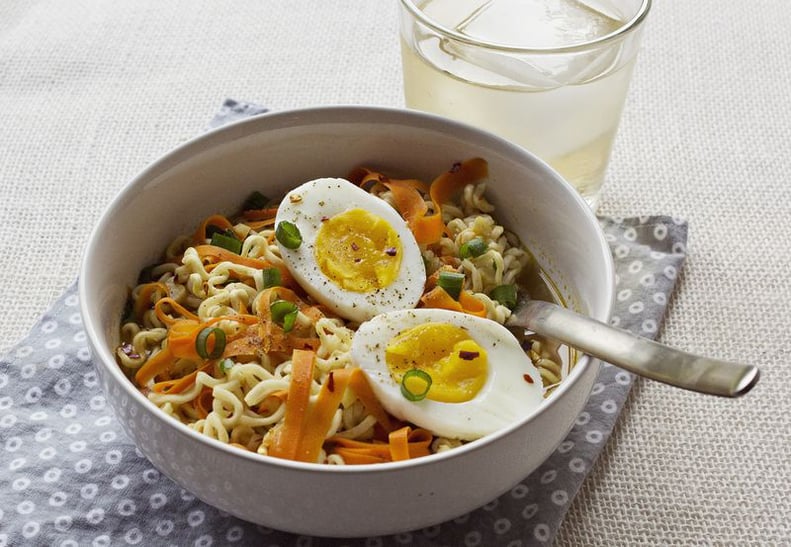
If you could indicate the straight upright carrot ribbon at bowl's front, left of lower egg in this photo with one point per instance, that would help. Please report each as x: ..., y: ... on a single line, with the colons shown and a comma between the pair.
x: 288, y: 436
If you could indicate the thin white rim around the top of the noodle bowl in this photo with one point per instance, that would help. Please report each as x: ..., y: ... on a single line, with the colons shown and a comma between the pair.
x: 287, y: 118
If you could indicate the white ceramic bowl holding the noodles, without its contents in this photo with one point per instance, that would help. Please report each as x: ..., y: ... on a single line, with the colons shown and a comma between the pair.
x: 214, y: 173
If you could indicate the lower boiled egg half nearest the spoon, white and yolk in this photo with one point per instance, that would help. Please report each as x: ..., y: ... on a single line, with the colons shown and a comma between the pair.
x: 475, y: 379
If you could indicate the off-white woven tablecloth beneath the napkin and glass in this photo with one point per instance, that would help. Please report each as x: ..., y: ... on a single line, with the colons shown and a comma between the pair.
x: 92, y: 91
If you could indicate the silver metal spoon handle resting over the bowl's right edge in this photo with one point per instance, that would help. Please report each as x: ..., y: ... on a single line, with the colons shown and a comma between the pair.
x: 634, y: 353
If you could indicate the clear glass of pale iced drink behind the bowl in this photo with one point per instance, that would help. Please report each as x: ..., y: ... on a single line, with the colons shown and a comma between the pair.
x: 549, y: 75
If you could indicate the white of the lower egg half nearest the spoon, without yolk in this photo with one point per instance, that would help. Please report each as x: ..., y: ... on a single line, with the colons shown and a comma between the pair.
x: 505, y: 397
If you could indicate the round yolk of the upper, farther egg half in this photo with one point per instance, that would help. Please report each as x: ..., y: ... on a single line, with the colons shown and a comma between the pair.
x: 358, y: 251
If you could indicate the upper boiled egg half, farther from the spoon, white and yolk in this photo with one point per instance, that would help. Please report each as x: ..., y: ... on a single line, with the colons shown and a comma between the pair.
x: 357, y: 255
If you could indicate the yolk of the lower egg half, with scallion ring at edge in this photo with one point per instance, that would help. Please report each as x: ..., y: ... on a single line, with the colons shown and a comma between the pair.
x: 456, y: 363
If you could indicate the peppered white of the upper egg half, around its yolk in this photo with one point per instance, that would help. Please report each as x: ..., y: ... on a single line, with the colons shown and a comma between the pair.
x: 317, y: 200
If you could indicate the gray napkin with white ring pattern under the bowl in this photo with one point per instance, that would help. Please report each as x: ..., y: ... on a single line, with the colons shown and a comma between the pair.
x: 69, y: 476
